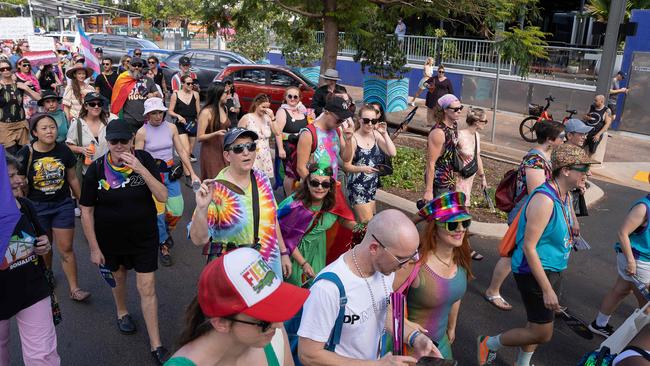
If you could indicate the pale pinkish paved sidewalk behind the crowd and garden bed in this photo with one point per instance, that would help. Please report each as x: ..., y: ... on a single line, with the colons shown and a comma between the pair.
x: 626, y: 157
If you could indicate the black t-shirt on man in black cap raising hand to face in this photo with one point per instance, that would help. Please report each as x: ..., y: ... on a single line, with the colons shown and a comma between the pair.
x: 125, y: 217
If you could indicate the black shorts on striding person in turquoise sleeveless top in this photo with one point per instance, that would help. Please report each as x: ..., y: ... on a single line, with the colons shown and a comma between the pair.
x: 533, y: 298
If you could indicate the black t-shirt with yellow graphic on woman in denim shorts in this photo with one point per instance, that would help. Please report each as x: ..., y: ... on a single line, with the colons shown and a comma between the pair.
x: 47, y: 173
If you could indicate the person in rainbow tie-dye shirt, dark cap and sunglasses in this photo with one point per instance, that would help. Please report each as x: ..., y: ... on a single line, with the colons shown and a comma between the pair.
x: 224, y: 216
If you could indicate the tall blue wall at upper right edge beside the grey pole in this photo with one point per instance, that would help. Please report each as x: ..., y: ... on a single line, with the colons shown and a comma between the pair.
x: 636, y: 43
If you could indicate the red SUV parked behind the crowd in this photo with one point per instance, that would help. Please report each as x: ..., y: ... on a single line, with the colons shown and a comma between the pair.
x: 251, y: 80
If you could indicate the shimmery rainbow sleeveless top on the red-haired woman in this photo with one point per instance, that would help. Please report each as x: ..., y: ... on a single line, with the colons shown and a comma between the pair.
x: 430, y: 303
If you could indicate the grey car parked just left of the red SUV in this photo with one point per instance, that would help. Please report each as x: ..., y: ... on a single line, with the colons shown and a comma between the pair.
x: 205, y: 63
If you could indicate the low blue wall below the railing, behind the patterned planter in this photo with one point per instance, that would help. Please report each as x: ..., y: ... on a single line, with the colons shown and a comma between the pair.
x: 350, y: 73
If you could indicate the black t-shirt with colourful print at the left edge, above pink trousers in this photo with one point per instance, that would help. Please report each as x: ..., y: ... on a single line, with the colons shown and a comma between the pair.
x: 22, y: 276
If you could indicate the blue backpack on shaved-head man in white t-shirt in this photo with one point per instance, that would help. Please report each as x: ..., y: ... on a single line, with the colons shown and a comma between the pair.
x: 293, y: 324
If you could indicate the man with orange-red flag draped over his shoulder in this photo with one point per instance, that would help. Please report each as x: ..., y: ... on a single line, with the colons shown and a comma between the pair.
x: 130, y: 91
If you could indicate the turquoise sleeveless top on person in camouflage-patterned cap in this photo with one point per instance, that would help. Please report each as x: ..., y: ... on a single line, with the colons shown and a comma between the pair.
x: 554, y: 246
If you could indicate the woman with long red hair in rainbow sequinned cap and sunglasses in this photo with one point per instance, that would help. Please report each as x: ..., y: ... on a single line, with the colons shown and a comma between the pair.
x: 435, y: 285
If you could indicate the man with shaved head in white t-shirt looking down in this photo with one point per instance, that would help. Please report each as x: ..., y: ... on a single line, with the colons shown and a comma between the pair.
x: 366, y: 273
